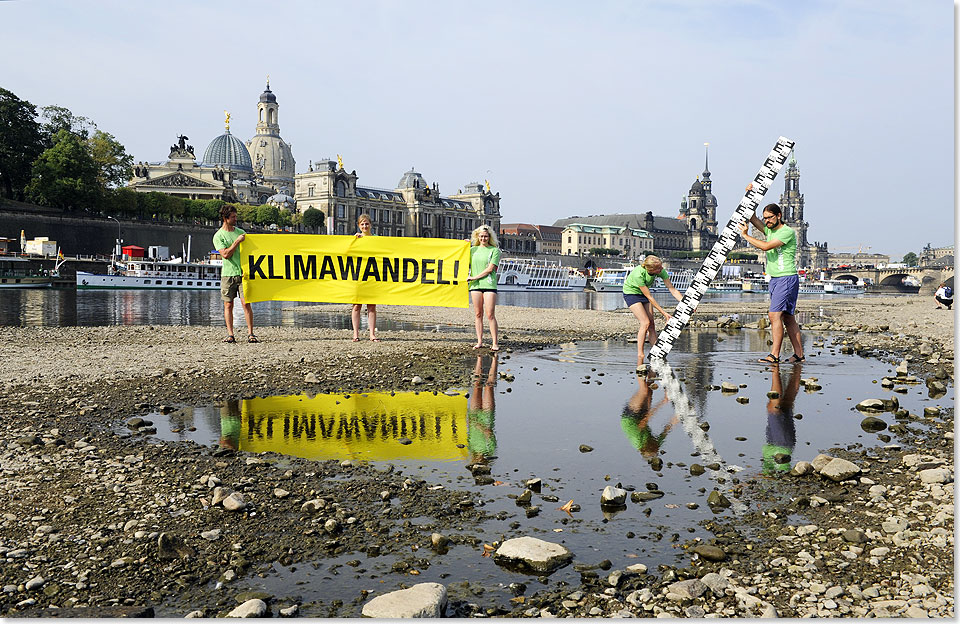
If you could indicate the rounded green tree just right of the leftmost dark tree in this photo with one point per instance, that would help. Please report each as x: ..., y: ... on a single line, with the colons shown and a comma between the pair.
x: 65, y: 175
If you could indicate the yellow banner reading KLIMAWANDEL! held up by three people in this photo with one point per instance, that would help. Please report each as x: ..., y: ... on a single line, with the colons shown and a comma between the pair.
x: 347, y: 269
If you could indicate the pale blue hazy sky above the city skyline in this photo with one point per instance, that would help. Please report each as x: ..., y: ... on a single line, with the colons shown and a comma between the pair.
x: 568, y: 108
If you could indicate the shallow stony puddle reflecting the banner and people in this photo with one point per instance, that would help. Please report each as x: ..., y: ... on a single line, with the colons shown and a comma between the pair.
x: 579, y: 418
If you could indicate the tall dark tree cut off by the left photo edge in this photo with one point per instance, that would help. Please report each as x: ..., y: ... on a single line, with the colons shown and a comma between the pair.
x: 21, y: 142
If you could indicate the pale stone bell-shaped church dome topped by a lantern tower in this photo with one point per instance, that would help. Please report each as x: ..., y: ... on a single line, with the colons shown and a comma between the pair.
x: 272, y: 158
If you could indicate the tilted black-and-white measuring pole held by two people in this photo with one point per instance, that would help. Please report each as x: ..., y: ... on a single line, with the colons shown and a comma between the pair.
x: 728, y: 238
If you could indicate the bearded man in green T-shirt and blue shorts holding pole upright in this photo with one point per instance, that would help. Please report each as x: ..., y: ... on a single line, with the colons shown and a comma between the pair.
x: 781, y: 248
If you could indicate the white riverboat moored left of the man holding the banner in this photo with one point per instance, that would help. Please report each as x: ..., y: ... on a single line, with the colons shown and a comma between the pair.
x: 155, y: 275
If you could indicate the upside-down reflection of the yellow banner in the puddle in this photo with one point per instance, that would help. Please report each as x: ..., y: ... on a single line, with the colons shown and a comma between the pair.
x: 365, y: 426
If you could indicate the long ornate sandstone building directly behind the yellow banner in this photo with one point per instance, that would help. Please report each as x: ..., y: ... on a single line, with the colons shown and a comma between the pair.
x: 412, y: 208
